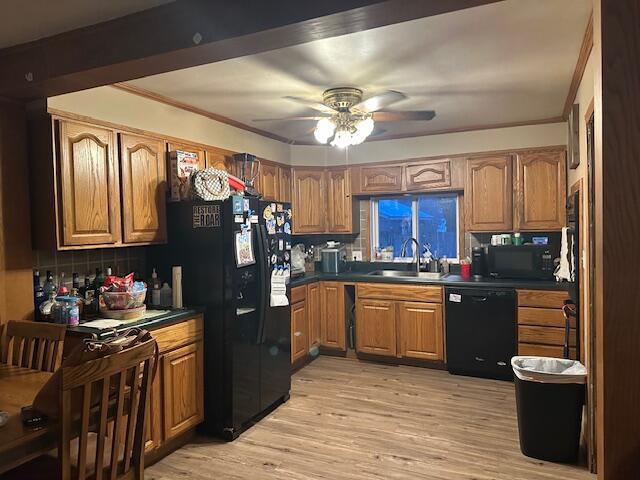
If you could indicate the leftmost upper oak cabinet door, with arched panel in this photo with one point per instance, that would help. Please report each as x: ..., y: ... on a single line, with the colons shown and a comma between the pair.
x: 89, y: 185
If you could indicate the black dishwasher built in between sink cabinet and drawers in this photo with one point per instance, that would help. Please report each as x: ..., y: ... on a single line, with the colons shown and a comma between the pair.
x: 481, y: 331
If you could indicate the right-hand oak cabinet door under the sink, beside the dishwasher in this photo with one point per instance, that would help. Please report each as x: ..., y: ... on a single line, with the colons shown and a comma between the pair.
x: 420, y: 330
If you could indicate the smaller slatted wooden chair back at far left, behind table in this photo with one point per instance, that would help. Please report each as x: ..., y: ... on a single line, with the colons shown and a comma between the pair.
x: 35, y: 345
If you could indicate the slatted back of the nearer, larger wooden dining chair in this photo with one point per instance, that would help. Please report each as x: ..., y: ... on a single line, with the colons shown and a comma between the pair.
x: 114, y: 396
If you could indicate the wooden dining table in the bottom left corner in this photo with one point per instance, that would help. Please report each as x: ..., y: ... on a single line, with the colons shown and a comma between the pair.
x: 18, y: 388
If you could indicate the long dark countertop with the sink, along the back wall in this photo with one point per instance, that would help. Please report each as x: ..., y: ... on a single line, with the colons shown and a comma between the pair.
x: 449, y: 281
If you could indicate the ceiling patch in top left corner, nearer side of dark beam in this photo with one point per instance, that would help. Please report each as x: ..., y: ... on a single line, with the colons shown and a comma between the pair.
x: 27, y: 20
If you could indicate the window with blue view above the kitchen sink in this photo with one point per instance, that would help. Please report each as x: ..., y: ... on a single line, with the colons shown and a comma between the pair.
x: 430, y: 218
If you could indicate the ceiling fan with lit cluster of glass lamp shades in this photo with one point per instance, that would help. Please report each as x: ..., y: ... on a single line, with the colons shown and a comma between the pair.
x: 347, y: 119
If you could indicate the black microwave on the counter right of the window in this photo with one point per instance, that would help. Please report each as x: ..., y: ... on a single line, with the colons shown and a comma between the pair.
x: 533, y: 262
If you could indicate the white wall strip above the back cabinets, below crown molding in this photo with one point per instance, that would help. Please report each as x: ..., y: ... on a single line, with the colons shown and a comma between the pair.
x: 434, y: 145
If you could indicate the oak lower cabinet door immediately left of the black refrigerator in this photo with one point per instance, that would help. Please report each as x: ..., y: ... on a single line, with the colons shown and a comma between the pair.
x: 182, y: 372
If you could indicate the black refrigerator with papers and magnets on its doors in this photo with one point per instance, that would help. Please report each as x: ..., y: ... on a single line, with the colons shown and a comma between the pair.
x: 228, y: 251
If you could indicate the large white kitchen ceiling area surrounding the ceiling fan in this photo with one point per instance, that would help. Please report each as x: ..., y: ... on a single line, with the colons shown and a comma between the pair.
x: 505, y: 62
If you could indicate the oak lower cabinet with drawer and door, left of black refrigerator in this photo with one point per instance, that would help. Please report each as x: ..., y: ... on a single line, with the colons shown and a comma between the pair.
x: 176, y: 402
